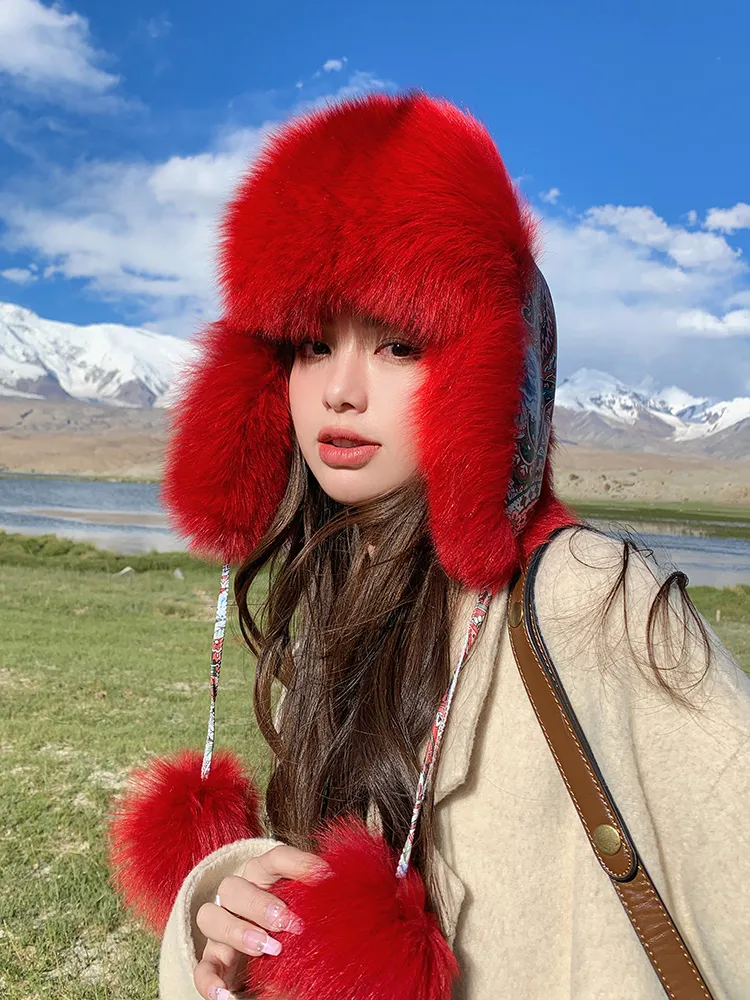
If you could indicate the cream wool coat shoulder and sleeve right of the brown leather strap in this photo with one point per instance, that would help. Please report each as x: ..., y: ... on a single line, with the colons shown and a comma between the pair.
x: 680, y: 772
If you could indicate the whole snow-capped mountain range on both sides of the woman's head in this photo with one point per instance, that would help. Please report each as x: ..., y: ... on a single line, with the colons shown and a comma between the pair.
x: 131, y: 367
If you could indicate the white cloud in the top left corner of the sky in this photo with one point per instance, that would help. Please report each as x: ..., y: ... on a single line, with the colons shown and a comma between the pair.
x: 49, y: 54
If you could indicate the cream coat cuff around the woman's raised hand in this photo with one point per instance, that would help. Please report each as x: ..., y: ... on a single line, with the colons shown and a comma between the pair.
x: 182, y: 943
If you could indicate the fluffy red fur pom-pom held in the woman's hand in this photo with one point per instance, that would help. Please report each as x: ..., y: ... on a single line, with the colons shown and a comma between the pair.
x: 366, y: 933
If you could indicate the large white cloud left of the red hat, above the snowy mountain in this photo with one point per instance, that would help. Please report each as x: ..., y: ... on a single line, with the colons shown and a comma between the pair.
x: 142, y: 233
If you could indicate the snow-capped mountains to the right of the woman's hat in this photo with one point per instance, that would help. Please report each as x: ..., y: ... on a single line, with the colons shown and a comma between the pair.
x: 593, y: 408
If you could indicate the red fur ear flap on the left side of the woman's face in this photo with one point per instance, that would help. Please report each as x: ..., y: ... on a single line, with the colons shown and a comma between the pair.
x: 228, y: 457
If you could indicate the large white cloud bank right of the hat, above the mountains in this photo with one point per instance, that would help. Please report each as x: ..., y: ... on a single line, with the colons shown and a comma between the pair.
x: 631, y: 298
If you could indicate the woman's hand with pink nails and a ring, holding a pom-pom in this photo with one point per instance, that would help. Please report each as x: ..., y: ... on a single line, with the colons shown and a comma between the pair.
x: 237, y: 928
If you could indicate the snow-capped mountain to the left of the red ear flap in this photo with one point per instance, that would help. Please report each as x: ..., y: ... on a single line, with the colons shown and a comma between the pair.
x: 104, y: 363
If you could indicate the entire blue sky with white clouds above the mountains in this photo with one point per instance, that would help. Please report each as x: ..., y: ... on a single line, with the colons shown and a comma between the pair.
x: 123, y: 128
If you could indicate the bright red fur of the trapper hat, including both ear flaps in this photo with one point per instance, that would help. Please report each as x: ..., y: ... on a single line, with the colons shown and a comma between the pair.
x: 399, y: 208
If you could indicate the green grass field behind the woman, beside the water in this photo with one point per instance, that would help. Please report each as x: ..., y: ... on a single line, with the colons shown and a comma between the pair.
x: 96, y: 673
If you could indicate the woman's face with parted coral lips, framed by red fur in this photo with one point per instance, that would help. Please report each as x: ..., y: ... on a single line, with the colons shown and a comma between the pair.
x: 359, y: 379
